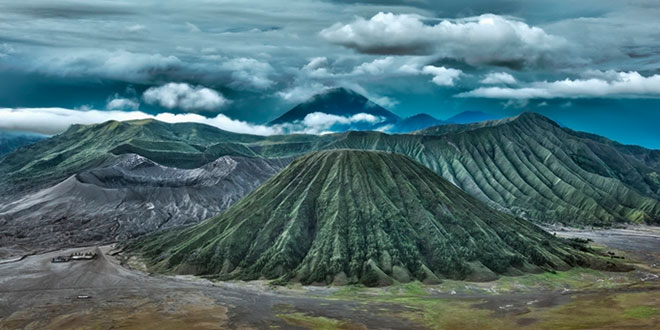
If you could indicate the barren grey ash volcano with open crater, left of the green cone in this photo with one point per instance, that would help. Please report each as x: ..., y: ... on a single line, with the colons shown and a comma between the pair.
x: 129, y: 196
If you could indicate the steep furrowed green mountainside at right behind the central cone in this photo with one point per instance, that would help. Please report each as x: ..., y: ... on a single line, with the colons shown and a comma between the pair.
x: 542, y: 171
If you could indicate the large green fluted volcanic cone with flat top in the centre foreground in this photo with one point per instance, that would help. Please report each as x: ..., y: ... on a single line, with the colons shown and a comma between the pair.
x: 359, y: 217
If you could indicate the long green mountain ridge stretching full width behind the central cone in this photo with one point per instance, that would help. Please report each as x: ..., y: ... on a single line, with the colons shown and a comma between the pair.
x: 526, y: 165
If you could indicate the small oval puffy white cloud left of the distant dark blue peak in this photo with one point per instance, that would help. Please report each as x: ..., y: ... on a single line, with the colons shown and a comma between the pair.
x: 184, y: 96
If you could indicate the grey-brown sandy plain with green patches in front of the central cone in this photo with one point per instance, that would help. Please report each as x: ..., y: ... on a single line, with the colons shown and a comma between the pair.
x: 37, y: 294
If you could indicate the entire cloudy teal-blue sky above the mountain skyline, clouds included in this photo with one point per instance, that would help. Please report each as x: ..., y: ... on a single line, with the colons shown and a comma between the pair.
x: 592, y: 65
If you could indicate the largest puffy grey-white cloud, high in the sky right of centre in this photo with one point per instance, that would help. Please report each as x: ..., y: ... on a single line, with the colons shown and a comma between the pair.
x: 485, y: 39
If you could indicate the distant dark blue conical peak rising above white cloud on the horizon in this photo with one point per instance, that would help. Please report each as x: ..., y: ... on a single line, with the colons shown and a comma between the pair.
x: 339, y: 102
